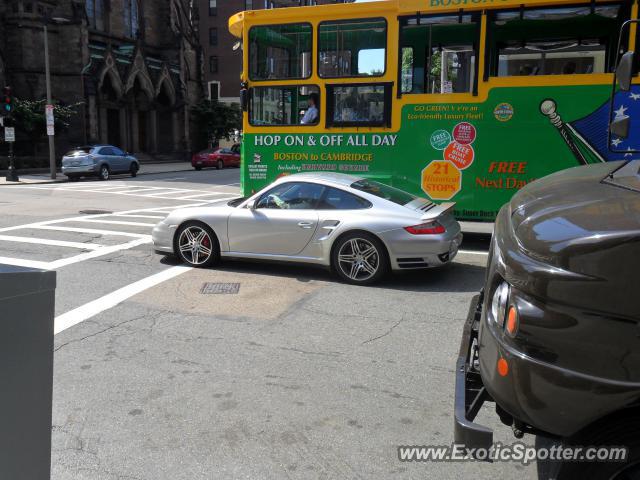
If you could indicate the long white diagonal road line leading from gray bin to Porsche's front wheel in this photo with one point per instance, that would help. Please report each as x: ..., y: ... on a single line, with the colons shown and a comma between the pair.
x: 88, y: 310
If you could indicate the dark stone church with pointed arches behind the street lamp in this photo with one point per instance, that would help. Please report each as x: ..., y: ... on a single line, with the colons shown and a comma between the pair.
x: 134, y: 65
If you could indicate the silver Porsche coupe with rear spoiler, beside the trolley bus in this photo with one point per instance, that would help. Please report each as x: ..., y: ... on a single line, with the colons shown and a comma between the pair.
x: 358, y: 227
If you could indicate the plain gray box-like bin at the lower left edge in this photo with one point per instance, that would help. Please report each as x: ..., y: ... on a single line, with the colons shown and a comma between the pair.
x: 26, y: 372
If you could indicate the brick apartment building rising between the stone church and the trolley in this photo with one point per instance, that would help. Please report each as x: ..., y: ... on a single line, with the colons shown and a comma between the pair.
x: 223, y: 65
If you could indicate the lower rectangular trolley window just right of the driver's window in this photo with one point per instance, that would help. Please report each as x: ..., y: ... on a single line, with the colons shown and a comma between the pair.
x: 359, y: 104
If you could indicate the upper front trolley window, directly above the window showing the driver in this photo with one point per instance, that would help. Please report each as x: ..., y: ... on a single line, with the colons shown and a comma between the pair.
x: 278, y: 52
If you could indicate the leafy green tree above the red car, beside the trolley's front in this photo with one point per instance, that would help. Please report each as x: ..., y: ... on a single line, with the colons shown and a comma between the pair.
x: 215, y: 120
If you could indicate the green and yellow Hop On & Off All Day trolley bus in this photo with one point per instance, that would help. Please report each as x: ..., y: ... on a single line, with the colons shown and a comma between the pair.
x: 456, y: 100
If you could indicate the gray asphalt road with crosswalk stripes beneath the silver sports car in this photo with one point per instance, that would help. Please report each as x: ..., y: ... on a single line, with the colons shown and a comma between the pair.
x: 296, y: 376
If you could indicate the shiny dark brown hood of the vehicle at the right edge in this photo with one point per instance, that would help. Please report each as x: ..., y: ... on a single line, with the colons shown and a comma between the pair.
x: 574, y: 212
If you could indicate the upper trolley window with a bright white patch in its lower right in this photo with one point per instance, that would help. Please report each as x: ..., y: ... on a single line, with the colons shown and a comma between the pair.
x: 352, y: 48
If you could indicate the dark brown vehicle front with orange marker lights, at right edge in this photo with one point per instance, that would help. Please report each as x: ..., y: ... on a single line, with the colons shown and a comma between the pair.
x: 554, y: 338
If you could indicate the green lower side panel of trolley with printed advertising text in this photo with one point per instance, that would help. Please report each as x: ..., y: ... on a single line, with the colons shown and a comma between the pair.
x: 475, y: 154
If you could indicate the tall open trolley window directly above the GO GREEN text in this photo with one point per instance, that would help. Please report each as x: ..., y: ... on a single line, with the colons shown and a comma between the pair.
x: 443, y: 54
